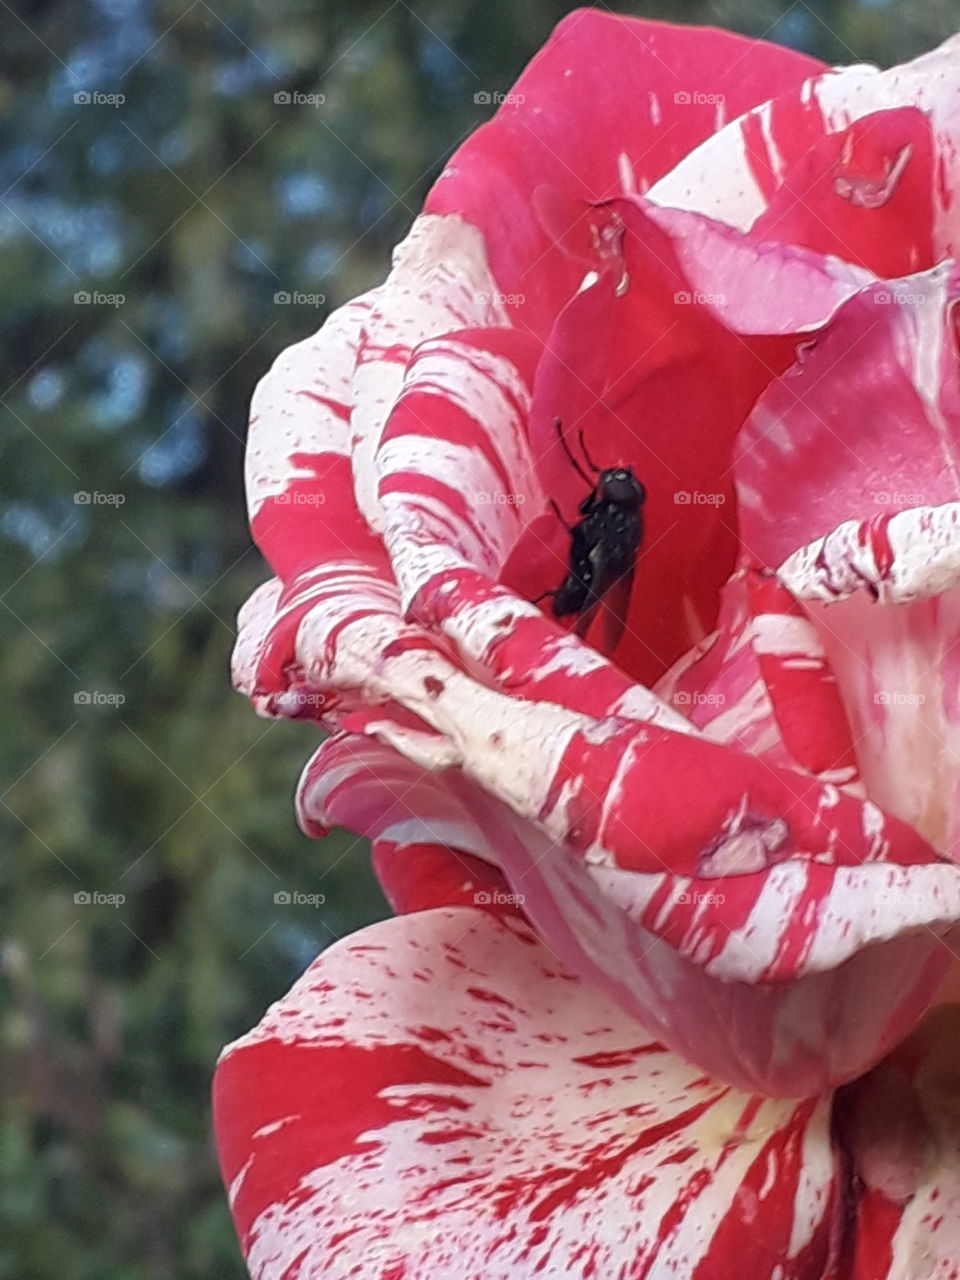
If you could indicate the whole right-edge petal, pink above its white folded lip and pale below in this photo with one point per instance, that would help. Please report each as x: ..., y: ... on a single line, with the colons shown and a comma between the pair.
x: 866, y: 529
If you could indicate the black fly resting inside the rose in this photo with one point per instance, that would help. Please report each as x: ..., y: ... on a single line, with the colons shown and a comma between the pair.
x: 604, y: 548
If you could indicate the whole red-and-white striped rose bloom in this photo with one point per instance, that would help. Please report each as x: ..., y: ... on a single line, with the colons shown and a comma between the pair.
x: 670, y: 988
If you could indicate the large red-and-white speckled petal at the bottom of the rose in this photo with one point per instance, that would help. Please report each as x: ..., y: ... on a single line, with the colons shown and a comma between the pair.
x: 519, y: 1126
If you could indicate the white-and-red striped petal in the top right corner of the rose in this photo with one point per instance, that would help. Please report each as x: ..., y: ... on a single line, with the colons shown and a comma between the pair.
x: 851, y: 130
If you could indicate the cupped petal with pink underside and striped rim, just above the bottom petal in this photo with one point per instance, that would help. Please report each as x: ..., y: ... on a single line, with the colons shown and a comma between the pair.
x: 751, y: 977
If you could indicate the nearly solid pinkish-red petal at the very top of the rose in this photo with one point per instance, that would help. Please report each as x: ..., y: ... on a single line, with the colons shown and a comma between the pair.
x: 566, y: 126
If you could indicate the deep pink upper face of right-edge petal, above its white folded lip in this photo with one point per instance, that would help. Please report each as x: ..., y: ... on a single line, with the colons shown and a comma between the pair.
x: 865, y: 426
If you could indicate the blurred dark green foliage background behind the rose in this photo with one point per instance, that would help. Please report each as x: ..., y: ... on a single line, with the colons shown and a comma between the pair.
x: 185, y: 211
